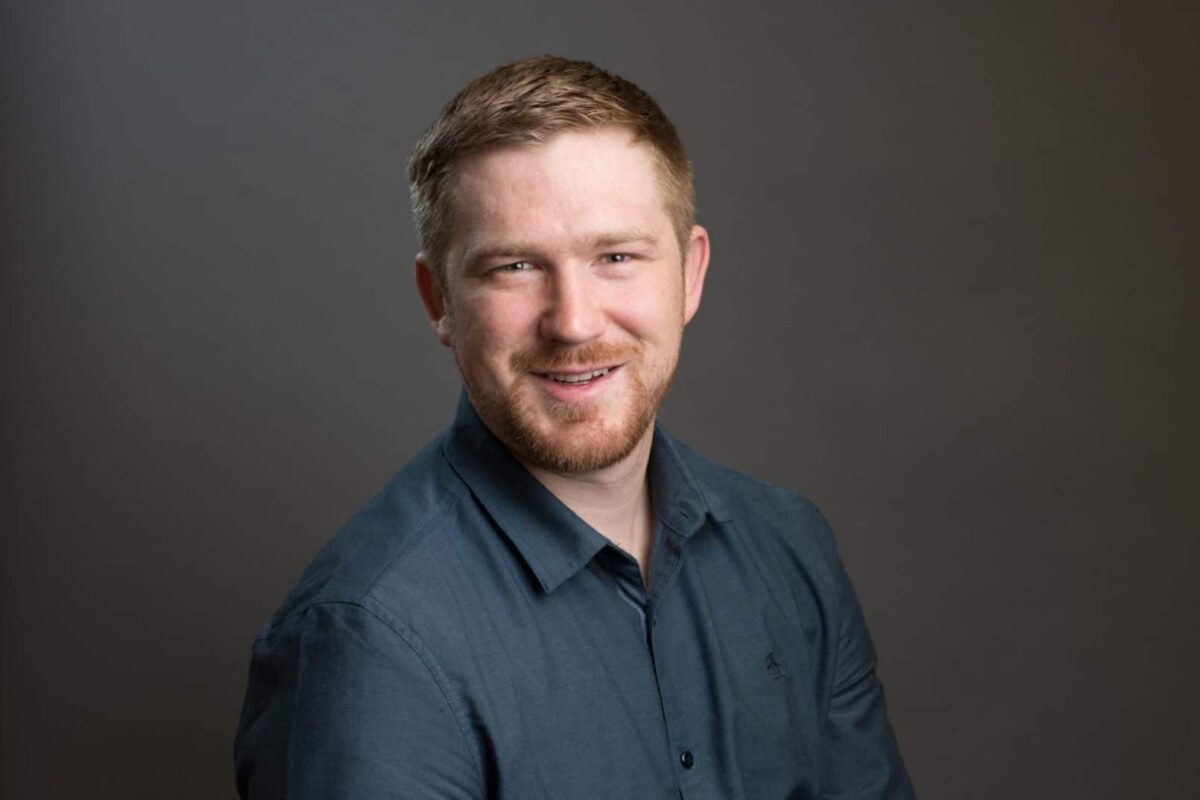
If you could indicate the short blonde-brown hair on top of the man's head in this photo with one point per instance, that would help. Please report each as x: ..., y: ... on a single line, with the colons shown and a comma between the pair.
x: 529, y: 103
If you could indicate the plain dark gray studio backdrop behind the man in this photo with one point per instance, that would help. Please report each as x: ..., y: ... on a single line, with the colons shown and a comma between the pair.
x: 953, y: 299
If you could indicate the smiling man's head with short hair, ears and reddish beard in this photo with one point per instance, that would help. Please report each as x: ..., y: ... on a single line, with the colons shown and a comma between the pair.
x: 561, y: 263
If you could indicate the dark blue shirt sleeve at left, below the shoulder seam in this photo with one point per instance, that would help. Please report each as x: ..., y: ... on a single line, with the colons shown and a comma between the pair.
x: 341, y: 706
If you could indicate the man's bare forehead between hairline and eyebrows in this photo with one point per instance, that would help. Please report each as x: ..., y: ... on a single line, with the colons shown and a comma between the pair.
x: 579, y: 187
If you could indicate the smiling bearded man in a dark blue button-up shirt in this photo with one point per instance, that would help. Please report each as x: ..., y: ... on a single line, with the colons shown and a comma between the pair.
x: 556, y: 599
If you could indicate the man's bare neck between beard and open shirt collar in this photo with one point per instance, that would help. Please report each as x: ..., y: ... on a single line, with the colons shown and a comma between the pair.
x: 615, y: 501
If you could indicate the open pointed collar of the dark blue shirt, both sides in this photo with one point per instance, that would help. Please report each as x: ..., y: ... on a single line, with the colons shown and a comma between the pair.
x: 553, y: 539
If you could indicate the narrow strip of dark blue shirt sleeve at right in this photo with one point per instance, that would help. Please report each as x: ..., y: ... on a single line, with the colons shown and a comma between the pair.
x: 861, y: 757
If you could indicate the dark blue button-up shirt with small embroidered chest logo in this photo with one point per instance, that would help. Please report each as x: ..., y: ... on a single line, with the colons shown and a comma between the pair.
x: 469, y: 636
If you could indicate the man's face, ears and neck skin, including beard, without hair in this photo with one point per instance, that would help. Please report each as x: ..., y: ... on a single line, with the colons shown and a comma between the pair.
x: 565, y: 261
